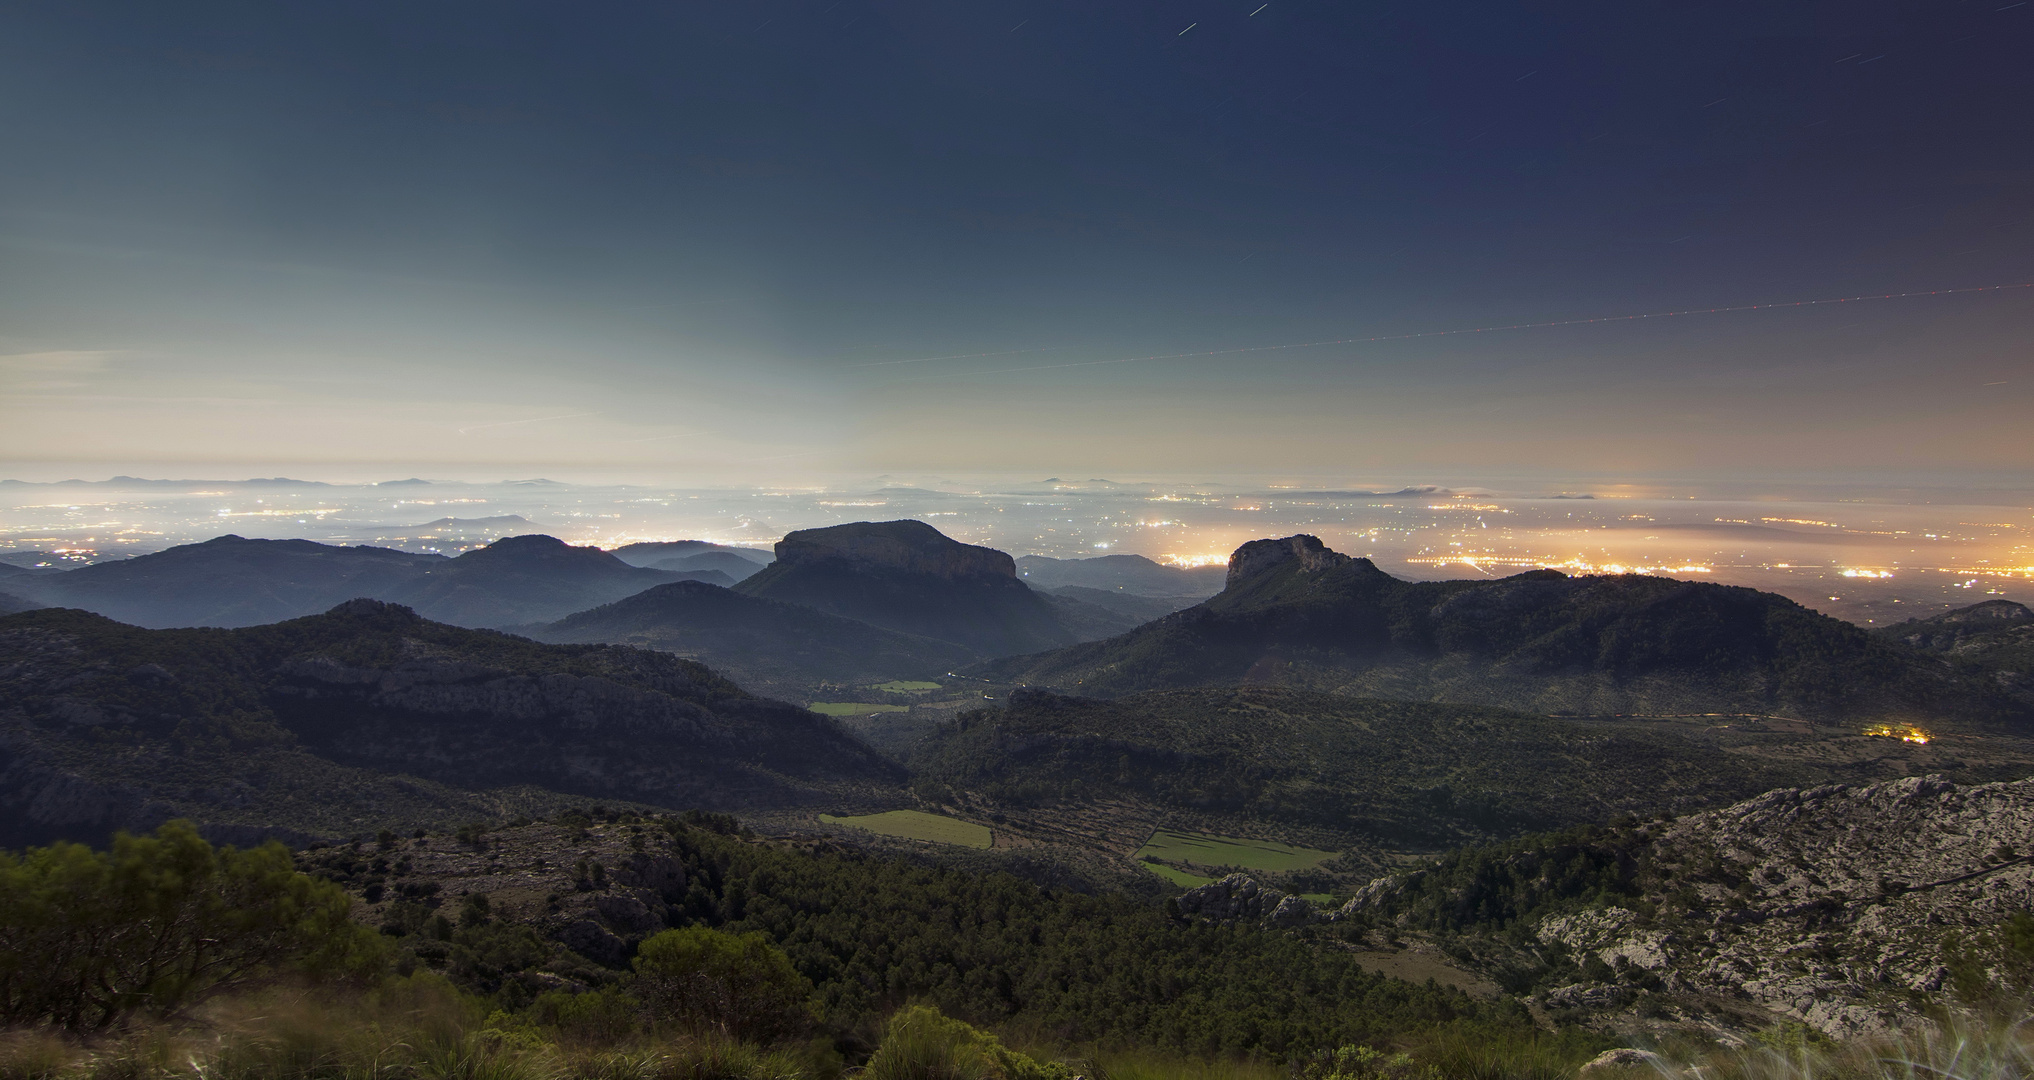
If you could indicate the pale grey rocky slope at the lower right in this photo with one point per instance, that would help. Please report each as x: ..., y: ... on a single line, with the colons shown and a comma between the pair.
x: 1848, y: 908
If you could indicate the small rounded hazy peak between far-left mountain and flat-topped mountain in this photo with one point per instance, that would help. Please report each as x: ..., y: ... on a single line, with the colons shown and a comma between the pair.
x: 522, y: 581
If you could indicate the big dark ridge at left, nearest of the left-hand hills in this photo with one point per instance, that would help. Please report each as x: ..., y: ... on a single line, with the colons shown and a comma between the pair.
x: 371, y: 717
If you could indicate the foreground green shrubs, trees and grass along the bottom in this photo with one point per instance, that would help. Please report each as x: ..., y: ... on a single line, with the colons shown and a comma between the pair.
x: 166, y: 957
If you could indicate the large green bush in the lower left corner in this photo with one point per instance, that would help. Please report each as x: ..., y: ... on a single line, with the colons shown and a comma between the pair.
x: 91, y: 937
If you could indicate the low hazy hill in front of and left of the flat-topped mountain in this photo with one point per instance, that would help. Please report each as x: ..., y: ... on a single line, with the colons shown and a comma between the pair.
x: 760, y: 644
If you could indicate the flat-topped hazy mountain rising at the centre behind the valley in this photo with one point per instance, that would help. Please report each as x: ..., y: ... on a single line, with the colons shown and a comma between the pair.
x: 908, y: 577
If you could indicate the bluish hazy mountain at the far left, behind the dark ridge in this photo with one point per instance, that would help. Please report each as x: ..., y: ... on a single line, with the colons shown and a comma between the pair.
x: 229, y: 583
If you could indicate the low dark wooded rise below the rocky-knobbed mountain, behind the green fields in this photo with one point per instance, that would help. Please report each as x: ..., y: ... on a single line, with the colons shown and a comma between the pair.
x: 1398, y: 774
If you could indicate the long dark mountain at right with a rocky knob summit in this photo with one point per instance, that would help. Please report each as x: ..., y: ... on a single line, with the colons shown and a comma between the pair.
x: 1295, y: 613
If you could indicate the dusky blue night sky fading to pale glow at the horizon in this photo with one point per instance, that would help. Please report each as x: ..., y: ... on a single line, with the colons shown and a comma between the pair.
x: 811, y: 237
